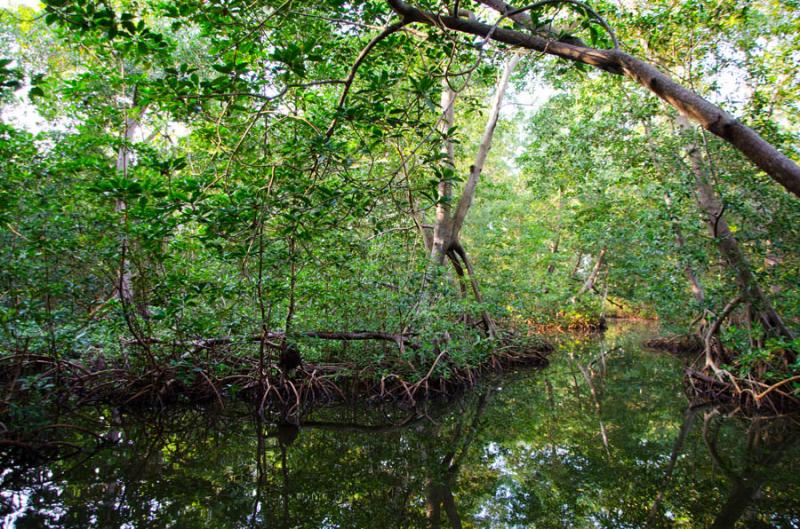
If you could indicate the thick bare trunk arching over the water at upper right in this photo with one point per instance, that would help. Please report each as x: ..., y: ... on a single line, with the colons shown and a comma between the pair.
x: 778, y: 166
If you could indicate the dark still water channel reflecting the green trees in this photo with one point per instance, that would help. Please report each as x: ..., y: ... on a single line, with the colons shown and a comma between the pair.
x: 601, y: 438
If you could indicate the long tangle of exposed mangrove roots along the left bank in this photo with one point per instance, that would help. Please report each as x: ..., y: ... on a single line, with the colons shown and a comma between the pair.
x: 246, y: 378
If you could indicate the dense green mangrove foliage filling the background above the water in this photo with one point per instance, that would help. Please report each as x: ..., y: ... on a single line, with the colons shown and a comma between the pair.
x: 181, y: 171
